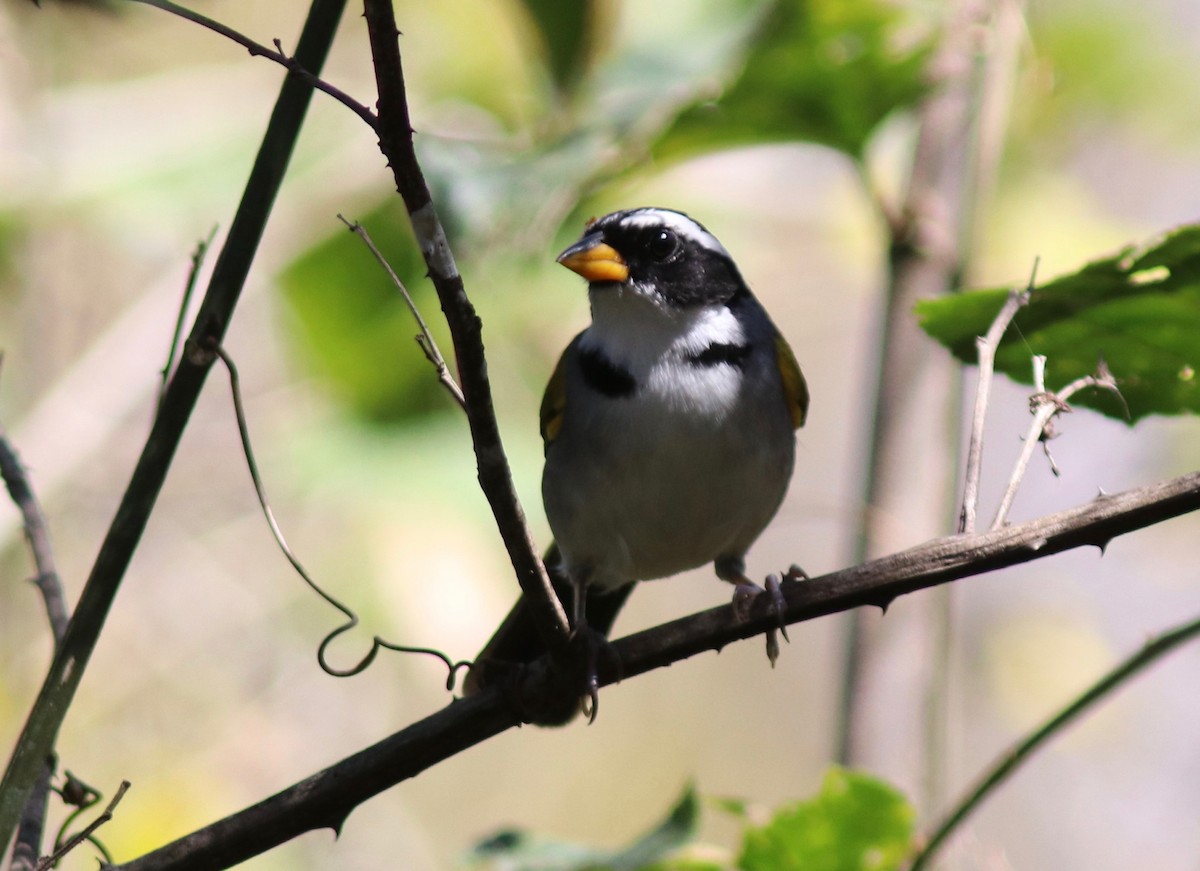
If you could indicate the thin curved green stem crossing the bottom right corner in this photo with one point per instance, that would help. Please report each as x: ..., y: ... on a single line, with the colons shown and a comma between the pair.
x: 1007, y: 765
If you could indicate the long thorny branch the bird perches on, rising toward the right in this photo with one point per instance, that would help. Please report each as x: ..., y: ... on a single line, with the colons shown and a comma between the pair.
x: 326, y: 800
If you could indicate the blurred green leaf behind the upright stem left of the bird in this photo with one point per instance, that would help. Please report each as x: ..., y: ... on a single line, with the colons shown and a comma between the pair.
x: 352, y: 327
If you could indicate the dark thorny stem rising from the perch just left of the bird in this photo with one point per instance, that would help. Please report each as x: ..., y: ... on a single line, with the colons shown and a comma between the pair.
x: 466, y: 329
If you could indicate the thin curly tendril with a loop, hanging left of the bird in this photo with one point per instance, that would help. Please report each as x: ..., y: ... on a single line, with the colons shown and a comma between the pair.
x: 352, y: 620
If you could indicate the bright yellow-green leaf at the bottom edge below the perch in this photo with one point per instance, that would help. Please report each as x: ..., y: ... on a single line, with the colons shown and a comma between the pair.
x: 856, y: 824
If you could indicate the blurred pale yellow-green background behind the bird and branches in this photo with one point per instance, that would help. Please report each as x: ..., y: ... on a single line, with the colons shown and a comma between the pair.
x: 127, y: 136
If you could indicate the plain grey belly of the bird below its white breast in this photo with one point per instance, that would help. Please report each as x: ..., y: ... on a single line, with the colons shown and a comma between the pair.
x: 635, y: 500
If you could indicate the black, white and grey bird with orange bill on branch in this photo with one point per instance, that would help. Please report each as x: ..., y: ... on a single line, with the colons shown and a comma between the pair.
x: 668, y: 424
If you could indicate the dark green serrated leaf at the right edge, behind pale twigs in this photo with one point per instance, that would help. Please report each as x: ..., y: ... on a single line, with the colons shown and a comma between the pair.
x: 1139, y: 311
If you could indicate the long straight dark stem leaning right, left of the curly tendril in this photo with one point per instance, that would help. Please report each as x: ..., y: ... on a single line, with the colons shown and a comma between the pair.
x: 67, y: 671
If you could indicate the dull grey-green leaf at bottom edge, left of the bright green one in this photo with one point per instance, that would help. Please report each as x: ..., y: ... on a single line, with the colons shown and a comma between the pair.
x: 517, y: 850
